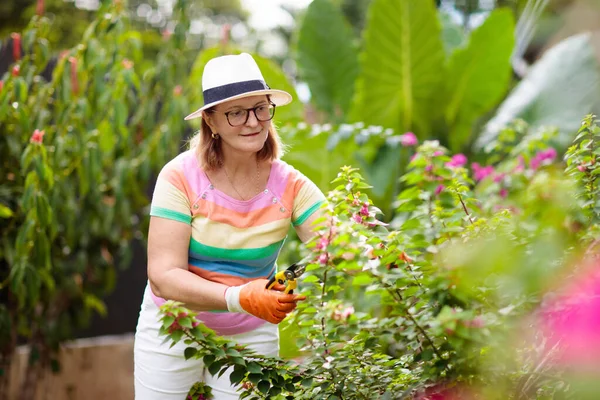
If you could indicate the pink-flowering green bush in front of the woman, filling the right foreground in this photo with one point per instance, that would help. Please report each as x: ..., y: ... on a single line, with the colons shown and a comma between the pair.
x: 445, y: 301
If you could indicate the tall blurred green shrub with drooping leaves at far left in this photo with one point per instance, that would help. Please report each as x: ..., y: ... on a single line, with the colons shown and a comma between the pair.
x: 76, y: 155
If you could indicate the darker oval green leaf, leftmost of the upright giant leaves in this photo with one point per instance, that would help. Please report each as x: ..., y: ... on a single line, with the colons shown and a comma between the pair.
x: 328, y: 57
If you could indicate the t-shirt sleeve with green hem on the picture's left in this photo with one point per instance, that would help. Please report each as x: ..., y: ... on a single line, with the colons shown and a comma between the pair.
x: 170, y: 199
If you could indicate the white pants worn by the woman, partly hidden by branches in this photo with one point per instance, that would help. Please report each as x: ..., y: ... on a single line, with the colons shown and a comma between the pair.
x: 163, y: 373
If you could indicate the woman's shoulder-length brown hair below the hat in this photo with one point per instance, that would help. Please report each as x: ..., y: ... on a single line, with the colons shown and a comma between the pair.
x: 210, y: 153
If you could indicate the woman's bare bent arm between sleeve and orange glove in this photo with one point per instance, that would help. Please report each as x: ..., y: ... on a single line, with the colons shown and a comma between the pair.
x: 168, y: 247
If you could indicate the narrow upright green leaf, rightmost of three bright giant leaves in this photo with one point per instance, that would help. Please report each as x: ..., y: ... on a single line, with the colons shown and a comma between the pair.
x: 478, y: 75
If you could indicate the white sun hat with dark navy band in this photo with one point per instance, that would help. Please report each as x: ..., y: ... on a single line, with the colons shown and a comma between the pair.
x: 234, y: 77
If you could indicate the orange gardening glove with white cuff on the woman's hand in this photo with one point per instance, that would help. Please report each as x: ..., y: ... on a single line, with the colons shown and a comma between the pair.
x: 252, y: 298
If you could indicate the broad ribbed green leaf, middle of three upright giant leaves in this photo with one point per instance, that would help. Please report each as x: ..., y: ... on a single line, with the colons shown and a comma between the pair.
x: 402, y: 66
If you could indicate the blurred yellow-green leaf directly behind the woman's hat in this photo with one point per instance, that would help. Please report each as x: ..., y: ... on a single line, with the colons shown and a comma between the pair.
x: 273, y: 74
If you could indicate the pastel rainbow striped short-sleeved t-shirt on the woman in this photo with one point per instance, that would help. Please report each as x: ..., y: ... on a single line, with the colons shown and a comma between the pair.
x: 233, y: 241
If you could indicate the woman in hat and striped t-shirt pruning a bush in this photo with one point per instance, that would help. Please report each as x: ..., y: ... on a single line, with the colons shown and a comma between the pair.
x: 219, y: 216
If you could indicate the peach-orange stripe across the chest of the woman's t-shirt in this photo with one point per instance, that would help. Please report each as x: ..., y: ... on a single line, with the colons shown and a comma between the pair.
x: 237, y: 219
